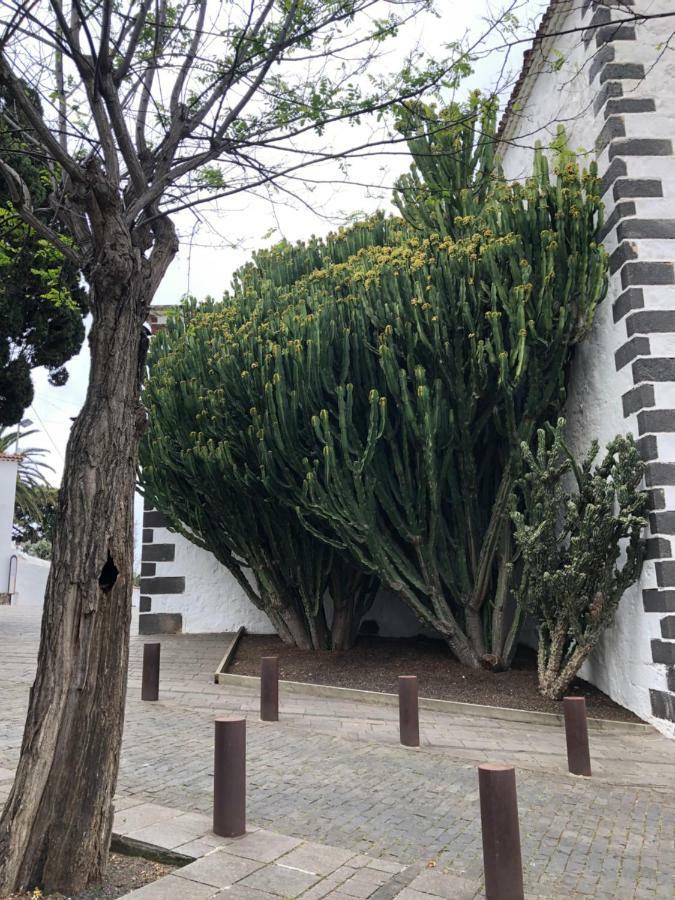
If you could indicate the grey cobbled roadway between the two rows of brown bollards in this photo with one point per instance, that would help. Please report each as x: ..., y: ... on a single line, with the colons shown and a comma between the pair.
x: 334, y: 773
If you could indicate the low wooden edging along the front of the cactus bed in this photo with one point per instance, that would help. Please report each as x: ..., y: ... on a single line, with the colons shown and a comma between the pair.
x: 448, y: 706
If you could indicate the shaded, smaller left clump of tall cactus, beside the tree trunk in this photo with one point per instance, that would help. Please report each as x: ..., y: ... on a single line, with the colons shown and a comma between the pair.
x: 205, y: 483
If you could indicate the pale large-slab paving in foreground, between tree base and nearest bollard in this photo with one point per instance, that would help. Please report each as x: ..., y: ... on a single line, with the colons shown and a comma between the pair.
x: 262, y: 865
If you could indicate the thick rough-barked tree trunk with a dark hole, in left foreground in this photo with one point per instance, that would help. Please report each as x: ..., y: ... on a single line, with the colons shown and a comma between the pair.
x: 56, y: 826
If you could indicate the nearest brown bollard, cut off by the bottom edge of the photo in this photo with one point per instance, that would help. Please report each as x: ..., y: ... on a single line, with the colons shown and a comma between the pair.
x: 501, y: 833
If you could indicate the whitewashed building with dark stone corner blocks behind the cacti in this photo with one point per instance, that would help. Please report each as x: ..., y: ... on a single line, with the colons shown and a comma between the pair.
x: 609, y: 79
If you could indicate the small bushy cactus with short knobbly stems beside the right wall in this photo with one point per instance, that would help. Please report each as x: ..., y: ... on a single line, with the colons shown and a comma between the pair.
x: 570, y: 544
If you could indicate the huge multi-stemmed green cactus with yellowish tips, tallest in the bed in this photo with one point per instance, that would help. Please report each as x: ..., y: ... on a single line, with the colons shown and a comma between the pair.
x: 385, y: 378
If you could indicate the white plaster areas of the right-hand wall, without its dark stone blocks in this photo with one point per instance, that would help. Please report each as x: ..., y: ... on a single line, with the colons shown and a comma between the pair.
x: 622, y: 665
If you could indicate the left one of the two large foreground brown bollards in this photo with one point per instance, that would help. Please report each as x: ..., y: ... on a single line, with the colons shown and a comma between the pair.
x: 229, y: 778
